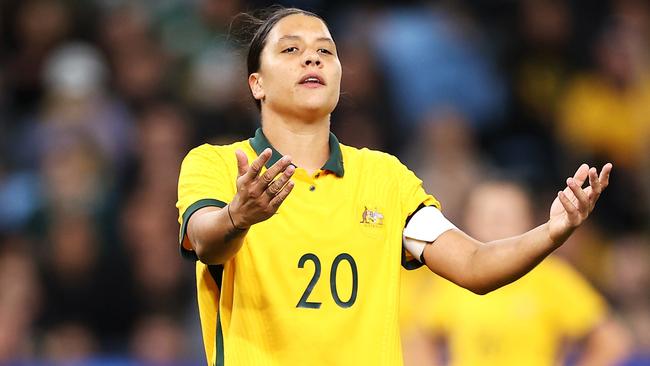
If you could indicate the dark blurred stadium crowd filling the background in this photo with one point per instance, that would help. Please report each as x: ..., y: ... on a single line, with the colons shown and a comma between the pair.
x: 100, y: 100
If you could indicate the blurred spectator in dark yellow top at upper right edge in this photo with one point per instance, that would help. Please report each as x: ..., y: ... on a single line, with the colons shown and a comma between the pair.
x: 606, y: 113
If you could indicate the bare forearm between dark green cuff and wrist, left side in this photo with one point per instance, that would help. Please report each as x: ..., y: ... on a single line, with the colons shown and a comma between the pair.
x: 213, y: 236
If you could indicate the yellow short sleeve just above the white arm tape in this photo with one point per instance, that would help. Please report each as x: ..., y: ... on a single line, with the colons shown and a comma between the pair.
x: 412, y: 196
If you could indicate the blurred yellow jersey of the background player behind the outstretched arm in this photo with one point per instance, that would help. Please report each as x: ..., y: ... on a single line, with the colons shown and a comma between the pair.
x: 524, y: 323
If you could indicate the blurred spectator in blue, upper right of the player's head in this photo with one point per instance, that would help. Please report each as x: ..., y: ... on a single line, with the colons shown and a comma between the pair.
x: 434, y: 58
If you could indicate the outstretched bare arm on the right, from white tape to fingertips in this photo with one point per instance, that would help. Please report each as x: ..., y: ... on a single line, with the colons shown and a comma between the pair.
x: 483, y: 267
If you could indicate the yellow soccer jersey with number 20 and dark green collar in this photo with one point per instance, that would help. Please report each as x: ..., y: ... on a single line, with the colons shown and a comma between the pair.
x: 317, y: 283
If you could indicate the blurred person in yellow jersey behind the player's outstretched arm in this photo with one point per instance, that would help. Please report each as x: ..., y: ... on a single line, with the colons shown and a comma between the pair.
x: 526, y: 322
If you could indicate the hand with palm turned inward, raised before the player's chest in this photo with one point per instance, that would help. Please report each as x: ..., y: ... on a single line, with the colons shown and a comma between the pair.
x: 258, y: 196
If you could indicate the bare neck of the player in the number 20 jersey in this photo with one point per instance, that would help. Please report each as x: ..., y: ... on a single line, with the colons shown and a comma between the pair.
x: 306, y: 142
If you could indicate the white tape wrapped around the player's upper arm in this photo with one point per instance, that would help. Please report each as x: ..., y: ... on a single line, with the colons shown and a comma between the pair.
x: 425, y: 226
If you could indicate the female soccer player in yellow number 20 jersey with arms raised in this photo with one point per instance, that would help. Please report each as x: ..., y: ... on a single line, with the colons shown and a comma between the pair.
x: 299, y: 252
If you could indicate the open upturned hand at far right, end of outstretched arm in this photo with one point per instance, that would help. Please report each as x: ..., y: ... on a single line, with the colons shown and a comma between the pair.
x: 573, y: 205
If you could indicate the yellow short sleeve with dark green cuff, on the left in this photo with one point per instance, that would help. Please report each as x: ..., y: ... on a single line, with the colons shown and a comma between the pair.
x: 205, y: 180
